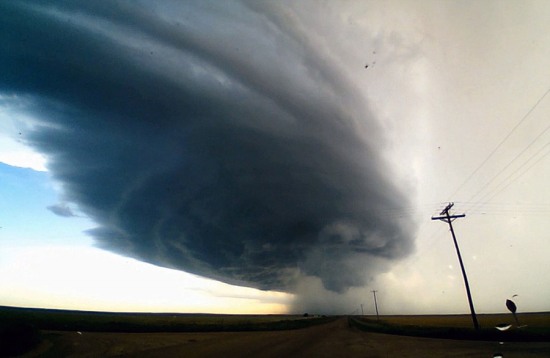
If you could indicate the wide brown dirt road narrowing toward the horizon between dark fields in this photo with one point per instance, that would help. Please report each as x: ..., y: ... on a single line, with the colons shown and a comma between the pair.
x: 334, y: 339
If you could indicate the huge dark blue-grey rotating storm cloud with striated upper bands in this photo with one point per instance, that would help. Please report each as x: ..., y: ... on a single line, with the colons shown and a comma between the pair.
x: 206, y: 136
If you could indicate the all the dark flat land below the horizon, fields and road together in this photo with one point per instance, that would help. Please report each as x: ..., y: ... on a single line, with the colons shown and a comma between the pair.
x: 172, y: 335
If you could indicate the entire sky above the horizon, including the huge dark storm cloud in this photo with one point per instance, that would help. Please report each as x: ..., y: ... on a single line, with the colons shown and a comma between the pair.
x: 455, y: 101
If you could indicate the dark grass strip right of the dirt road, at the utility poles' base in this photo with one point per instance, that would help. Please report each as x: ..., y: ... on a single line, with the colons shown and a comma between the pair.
x: 460, y: 326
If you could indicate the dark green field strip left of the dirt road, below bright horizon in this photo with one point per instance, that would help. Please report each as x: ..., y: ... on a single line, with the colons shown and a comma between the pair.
x: 45, y: 319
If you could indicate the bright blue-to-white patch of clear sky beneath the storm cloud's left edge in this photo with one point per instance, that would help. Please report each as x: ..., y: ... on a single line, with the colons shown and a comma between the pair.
x: 47, y: 261
